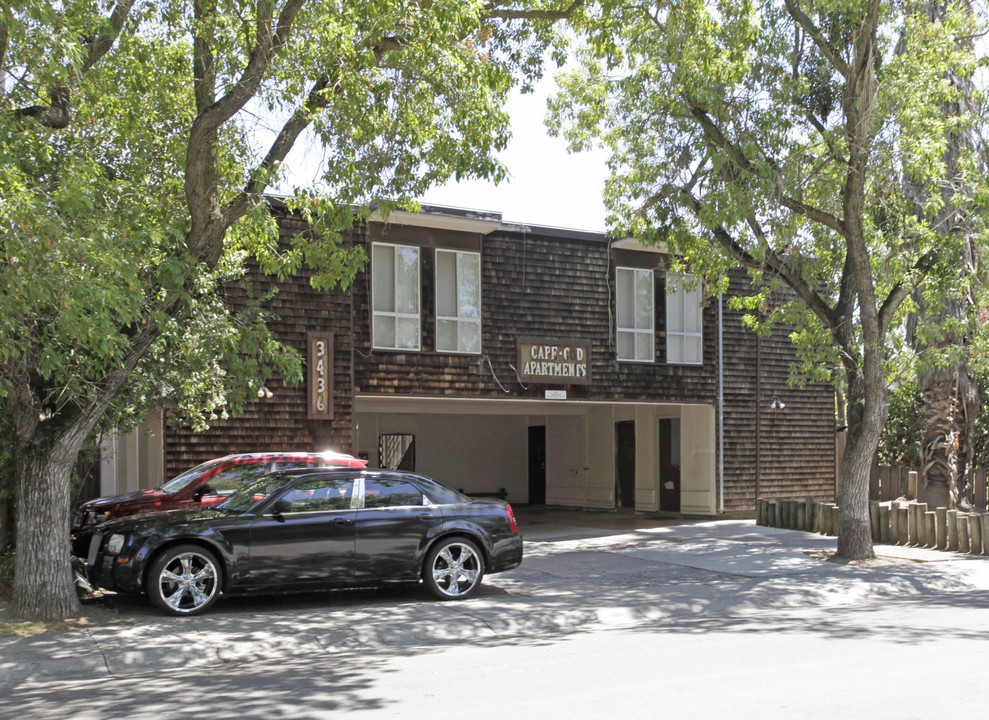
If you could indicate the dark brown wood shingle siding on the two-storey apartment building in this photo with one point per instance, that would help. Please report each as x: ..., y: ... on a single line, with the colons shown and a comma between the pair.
x: 536, y: 283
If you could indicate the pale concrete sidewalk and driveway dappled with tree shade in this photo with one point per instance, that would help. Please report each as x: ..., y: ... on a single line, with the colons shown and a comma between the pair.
x: 582, y: 570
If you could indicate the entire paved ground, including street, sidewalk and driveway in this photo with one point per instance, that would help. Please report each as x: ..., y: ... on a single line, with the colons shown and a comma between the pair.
x: 607, y: 612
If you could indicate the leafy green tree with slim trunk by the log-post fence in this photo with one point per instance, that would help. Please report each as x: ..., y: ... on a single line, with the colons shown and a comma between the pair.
x: 781, y: 134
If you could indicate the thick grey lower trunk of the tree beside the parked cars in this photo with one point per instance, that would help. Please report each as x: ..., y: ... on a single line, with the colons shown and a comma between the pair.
x: 44, y: 587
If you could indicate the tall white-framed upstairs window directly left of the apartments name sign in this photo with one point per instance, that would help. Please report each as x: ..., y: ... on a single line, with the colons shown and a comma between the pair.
x: 458, y: 301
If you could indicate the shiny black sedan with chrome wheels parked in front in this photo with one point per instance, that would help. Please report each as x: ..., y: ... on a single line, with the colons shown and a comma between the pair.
x: 304, y: 529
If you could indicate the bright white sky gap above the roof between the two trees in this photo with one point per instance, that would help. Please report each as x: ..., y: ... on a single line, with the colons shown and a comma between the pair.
x: 546, y: 185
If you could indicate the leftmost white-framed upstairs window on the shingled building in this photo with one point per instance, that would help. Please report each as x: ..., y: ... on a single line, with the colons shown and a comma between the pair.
x: 395, y: 296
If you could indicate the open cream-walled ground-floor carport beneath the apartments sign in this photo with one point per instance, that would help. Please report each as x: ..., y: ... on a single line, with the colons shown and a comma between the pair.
x: 569, y: 453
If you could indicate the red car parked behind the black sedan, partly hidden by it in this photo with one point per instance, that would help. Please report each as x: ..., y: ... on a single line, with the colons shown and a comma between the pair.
x: 203, y: 485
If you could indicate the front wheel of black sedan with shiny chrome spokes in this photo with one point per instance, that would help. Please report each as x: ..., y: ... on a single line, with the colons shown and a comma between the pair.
x: 184, y: 580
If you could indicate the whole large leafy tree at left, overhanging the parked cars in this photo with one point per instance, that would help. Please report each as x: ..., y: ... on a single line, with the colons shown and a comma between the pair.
x: 137, y: 140
